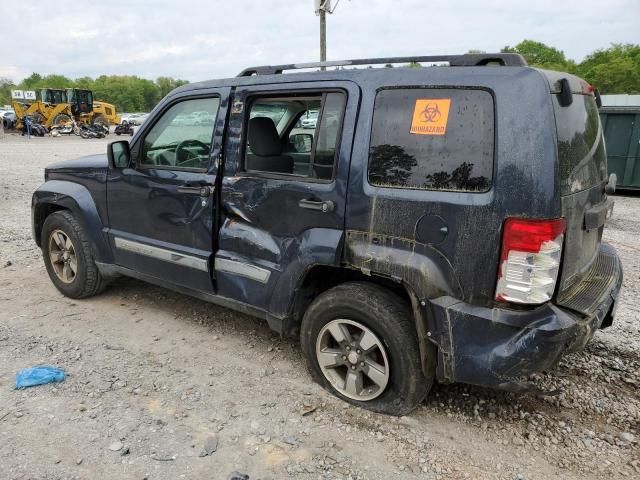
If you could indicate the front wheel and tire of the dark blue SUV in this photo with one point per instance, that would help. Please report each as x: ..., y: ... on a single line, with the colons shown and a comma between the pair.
x: 86, y: 280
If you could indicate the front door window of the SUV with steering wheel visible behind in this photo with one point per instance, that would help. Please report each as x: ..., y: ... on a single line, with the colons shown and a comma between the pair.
x: 181, y: 139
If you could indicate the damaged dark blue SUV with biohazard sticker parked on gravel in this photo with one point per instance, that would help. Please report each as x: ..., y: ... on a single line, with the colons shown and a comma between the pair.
x: 451, y: 232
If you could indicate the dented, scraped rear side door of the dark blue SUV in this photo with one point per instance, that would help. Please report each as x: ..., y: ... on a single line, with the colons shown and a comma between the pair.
x: 274, y: 227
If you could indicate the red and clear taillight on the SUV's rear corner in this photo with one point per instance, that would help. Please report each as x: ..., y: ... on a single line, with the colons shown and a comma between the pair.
x: 530, y: 260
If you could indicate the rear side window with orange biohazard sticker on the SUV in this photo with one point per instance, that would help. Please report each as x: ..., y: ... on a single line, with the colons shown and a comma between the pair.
x: 432, y: 139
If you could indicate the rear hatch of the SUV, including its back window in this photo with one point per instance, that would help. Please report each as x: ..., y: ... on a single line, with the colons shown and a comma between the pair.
x: 582, y: 170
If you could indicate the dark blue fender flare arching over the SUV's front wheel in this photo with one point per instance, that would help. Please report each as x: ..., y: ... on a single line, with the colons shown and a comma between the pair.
x: 64, y: 195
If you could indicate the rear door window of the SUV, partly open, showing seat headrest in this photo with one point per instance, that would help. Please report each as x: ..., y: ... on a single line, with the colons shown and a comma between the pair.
x: 297, y: 135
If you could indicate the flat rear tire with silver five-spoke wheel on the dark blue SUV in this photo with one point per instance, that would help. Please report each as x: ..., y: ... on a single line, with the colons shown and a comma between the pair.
x: 366, y: 308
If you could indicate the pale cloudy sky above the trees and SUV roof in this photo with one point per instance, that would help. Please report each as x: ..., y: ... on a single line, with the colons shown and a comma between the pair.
x: 205, y: 39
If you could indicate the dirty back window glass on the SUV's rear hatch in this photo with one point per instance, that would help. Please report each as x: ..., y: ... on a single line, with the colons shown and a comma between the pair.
x: 581, y: 153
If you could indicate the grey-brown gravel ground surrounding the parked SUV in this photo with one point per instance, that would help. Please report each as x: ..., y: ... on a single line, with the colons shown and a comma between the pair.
x: 156, y: 379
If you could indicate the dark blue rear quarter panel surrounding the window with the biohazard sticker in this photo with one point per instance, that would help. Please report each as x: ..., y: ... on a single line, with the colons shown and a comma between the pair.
x: 523, y: 183
